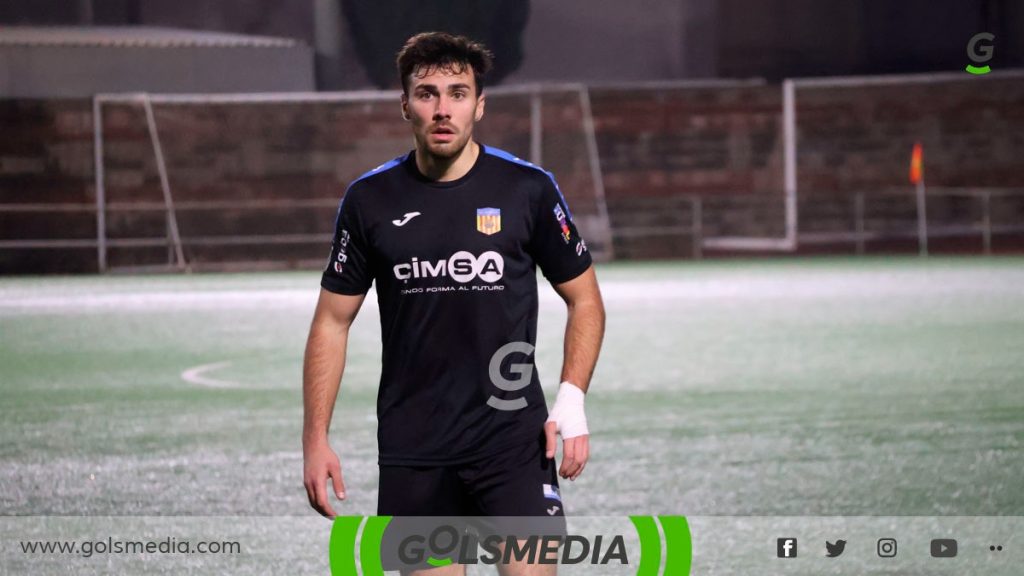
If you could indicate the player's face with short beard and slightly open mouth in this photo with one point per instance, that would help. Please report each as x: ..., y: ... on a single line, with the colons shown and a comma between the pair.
x: 443, y: 108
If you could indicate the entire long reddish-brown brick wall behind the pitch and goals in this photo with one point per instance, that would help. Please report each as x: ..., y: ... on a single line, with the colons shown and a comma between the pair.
x: 659, y: 148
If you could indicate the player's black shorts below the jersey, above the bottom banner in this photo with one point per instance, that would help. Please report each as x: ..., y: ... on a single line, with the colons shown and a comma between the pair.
x: 518, y: 482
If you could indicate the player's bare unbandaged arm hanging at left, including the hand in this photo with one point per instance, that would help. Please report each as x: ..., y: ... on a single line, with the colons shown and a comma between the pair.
x: 322, y: 371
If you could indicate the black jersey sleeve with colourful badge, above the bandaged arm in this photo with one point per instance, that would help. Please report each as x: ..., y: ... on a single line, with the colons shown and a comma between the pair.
x: 556, y: 244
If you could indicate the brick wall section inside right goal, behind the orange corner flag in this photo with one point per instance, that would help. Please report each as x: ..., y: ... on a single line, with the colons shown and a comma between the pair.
x: 861, y: 140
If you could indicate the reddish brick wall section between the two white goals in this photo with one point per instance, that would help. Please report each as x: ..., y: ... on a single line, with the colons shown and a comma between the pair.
x: 721, y: 144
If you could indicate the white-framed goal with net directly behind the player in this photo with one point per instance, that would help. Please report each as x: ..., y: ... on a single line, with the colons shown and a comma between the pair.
x: 251, y: 182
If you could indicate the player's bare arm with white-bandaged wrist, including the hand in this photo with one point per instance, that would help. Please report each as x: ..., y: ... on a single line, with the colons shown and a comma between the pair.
x: 584, y: 333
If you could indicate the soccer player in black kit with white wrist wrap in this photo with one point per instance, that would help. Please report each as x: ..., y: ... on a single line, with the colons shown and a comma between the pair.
x: 452, y: 234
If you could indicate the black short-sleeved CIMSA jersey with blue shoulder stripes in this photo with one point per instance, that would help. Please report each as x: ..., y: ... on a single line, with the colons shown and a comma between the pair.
x: 455, y: 266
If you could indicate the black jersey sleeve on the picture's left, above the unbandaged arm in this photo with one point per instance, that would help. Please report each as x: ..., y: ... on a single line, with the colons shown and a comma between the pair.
x: 349, y: 270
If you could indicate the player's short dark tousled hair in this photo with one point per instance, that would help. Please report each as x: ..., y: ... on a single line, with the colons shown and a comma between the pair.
x: 430, y: 52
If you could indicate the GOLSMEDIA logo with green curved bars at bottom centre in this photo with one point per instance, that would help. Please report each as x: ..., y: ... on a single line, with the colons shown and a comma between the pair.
x: 377, y: 544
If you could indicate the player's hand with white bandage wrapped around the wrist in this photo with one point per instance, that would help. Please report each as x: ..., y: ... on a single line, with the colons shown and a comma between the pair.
x: 568, y: 419
